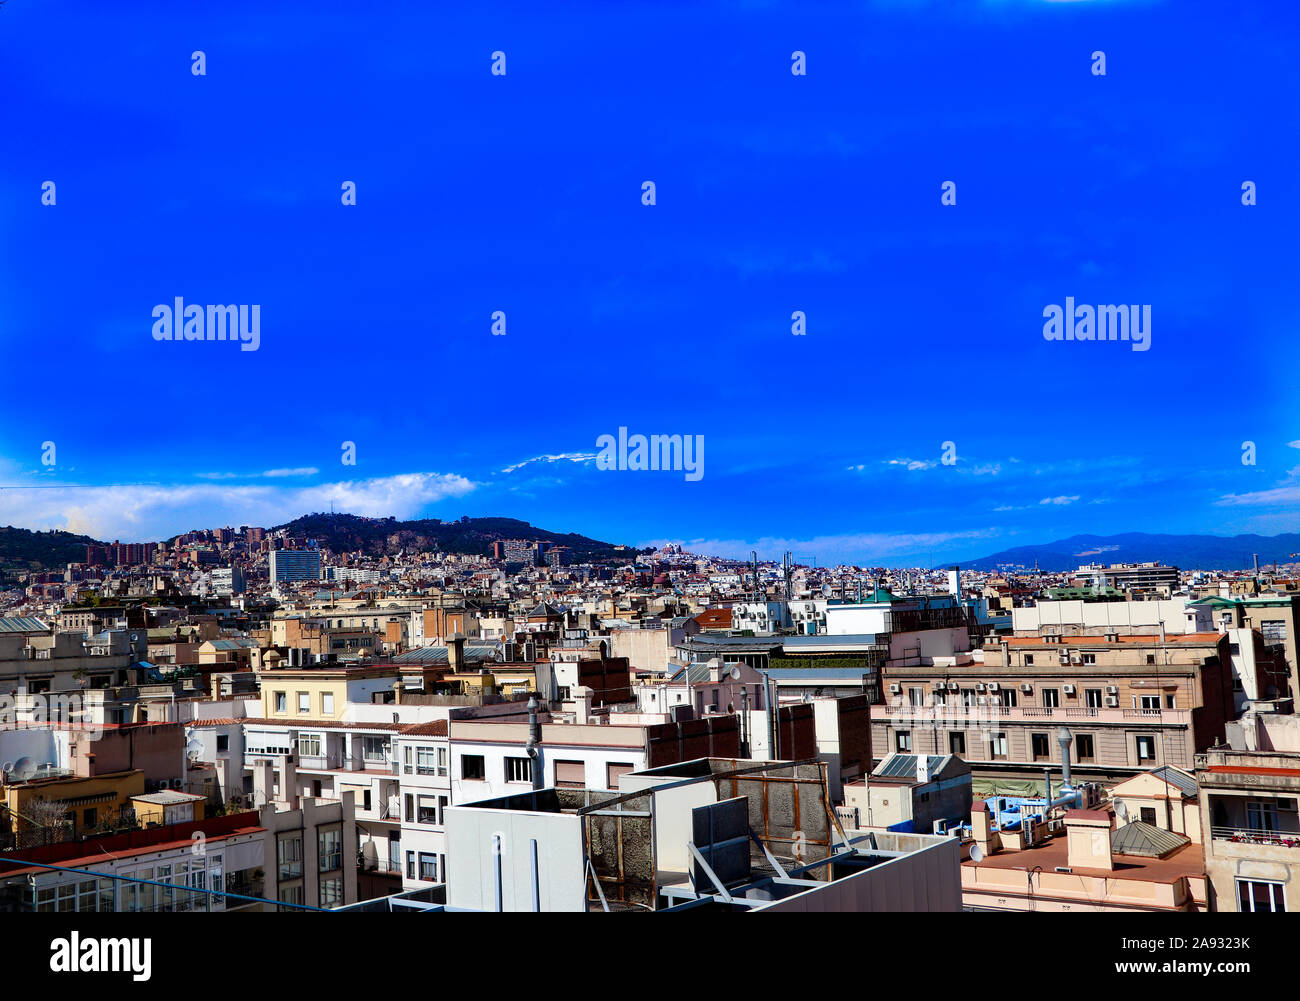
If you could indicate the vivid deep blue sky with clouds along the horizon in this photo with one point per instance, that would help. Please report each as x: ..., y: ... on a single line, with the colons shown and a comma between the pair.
x: 775, y: 193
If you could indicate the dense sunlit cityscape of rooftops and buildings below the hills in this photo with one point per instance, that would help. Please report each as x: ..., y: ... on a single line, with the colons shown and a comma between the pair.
x: 343, y: 730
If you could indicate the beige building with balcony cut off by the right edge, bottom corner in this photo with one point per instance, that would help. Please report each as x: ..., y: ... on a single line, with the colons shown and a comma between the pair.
x: 1249, y: 814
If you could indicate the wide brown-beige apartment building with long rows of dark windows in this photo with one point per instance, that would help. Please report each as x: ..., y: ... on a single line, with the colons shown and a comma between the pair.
x: 1128, y: 704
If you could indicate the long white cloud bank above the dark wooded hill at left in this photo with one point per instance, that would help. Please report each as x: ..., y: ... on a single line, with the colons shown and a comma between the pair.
x: 145, y: 513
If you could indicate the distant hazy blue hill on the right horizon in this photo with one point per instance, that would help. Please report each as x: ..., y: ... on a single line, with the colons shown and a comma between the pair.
x: 1184, y: 552
